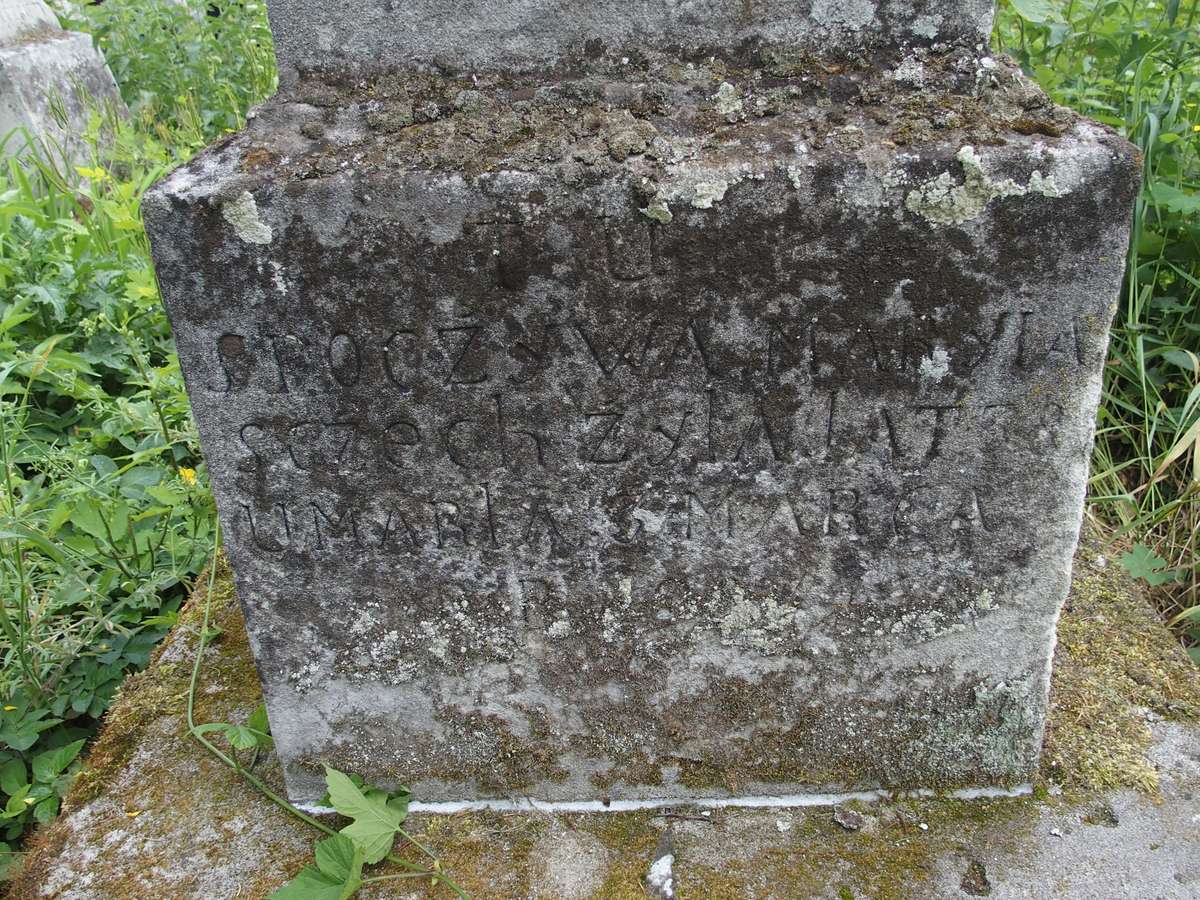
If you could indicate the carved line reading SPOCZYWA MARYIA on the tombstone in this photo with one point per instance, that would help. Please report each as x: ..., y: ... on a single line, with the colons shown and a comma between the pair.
x: 479, y: 356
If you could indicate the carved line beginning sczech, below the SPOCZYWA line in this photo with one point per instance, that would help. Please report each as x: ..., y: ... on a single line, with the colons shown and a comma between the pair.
x: 664, y: 436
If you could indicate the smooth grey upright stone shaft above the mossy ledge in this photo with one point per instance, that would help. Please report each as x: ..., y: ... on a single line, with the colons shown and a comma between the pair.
x: 451, y: 35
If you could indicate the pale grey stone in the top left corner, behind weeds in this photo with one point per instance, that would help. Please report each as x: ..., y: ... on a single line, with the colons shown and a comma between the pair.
x: 40, y: 67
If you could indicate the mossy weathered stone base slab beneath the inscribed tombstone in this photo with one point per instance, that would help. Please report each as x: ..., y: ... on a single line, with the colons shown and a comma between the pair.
x: 155, y: 817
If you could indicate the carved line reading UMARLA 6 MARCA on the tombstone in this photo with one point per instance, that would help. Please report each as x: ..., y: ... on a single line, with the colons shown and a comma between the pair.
x: 482, y: 518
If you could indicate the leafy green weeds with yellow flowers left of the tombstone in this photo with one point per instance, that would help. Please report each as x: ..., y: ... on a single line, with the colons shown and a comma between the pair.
x: 105, y: 512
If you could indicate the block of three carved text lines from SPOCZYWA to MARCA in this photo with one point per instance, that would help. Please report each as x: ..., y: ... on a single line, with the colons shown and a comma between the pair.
x: 555, y: 440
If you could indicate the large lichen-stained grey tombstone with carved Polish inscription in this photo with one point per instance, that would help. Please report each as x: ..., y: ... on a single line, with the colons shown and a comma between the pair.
x: 649, y: 400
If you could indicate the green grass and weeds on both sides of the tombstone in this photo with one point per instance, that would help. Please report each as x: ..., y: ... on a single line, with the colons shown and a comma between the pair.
x: 105, y: 512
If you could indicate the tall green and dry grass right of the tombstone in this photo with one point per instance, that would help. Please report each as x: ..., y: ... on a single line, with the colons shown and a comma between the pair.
x: 1136, y: 67
